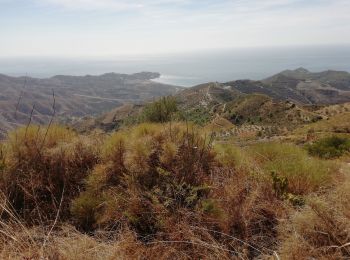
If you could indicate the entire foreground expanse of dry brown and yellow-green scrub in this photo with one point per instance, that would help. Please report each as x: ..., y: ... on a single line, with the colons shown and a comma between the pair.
x: 169, y: 191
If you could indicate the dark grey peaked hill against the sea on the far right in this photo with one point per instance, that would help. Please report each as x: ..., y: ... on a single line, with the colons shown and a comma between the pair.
x: 301, y: 86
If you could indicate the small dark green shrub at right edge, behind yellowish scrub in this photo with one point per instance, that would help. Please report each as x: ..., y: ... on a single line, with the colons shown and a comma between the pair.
x: 329, y: 147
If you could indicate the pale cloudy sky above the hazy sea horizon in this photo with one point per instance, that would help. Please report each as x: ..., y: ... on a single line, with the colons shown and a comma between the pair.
x: 114, y: 27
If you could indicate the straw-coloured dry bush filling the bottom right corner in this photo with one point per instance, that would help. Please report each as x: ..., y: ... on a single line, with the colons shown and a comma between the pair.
x: 321, y: 229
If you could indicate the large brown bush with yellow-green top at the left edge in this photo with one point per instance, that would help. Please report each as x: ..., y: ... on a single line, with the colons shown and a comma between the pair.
x: 44, y: 171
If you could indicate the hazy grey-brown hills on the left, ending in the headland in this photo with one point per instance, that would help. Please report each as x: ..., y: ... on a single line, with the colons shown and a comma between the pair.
x: 75, y: 96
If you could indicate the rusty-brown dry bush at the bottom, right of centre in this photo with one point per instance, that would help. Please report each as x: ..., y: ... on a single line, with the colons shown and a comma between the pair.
x: 249, y: 213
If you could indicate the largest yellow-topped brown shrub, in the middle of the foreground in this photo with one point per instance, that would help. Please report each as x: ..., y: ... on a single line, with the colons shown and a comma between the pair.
x: 150, y: 167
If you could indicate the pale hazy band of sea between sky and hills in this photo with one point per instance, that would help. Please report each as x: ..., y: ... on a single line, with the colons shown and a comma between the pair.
x: 188, y: 69
